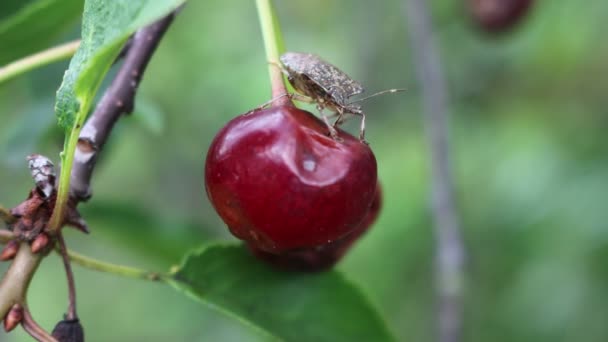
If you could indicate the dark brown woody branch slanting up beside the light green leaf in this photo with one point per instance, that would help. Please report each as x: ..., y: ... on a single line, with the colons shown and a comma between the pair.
x: 117, y: 100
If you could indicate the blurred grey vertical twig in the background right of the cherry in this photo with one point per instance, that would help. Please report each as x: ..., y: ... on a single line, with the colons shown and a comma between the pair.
x: 450, y: 250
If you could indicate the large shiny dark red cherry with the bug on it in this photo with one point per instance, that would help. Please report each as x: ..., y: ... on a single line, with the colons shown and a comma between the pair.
x: 280, y: 182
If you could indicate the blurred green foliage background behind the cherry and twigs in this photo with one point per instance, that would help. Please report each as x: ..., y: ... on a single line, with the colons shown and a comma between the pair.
x: 528, y: 135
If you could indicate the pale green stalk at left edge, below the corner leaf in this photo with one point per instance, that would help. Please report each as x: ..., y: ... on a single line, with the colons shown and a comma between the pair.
x: 38, y: 60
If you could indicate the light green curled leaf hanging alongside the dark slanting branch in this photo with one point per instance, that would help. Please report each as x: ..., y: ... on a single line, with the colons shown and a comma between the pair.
x: 106, y: 25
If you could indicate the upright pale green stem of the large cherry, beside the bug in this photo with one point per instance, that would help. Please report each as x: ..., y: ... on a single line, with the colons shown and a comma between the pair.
x: 273, y: 45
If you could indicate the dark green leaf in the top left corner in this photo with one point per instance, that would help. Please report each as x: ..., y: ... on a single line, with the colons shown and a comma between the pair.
x: 35, y: 25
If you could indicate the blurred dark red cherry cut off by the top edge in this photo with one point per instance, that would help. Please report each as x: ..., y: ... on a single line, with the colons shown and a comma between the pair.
x: 498, y: 15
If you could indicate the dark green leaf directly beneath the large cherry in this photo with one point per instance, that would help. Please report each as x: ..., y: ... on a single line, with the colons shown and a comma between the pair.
x: 288, y: 306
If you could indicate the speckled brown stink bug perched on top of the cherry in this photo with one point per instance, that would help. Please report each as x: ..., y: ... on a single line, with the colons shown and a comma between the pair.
x: 320, y: 82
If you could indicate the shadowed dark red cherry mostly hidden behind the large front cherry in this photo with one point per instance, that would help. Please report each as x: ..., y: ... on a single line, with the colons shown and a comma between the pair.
x: 322, y: 257
